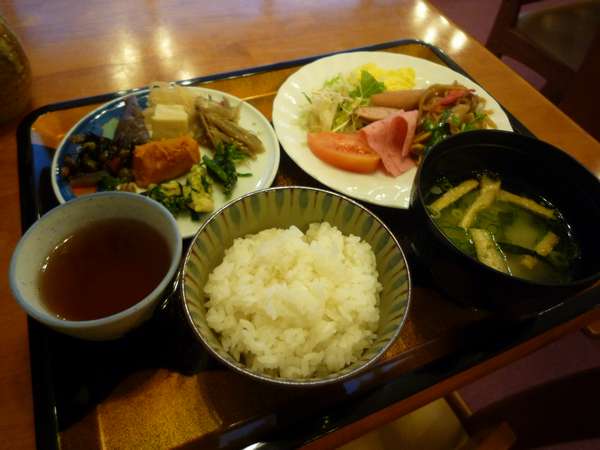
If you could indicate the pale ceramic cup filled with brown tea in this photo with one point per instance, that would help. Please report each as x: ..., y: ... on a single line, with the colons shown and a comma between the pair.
x: 97, y: 266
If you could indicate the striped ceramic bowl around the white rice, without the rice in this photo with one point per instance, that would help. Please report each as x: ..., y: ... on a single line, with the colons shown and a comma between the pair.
x: 282, y: 208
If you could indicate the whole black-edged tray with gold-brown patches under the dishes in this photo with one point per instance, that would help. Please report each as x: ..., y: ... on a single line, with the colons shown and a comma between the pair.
x: 157, y: 388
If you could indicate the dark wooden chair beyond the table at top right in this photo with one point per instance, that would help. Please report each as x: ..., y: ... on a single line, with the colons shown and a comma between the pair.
x: 562, y: 44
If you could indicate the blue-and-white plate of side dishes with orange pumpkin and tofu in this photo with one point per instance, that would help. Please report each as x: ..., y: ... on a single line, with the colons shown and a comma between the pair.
x: 192, y: 149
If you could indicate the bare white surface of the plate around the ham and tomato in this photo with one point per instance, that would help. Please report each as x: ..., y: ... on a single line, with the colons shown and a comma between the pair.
x: 377, y: 188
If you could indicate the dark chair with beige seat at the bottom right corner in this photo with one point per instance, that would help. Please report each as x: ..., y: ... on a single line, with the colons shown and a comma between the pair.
x: 558, y: 411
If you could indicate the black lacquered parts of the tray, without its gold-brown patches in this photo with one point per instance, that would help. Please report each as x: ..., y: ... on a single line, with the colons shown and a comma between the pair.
x: 70, y: 376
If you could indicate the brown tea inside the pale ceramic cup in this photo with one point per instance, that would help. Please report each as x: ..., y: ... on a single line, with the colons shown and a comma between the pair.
x: 103, y: 268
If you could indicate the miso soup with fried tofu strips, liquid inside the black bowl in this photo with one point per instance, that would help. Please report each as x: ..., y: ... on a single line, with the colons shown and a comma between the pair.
x: 514, y: 232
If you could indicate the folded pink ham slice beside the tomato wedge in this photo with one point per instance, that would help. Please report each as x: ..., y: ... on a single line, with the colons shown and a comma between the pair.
x: 391, y: 139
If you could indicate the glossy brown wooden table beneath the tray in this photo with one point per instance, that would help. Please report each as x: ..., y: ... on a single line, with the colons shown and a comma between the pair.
x: 85, y: 48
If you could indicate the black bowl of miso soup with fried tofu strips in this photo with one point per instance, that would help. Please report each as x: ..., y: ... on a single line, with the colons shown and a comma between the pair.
x: 506, y: 222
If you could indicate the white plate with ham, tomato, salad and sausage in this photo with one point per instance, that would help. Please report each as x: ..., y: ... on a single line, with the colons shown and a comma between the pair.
x: 360, y: 122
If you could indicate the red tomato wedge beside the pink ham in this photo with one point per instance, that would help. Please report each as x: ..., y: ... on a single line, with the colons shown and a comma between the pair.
x: 348, y: 151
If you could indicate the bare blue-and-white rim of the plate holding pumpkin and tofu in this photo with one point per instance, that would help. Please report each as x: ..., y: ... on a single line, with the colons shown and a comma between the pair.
x: 263, y: 168
